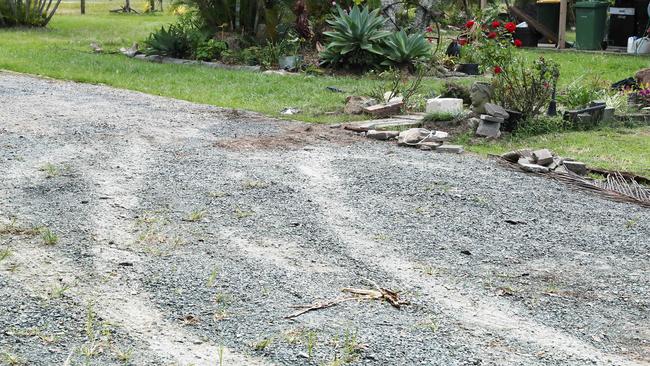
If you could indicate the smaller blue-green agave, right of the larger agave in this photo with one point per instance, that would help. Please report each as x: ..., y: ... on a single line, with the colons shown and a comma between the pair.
x: 403, y: 50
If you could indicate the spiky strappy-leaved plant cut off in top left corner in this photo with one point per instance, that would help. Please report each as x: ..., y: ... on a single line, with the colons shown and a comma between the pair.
x: 27, y: 12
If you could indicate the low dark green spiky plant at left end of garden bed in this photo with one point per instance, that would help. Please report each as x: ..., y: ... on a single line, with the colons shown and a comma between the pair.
x: 171, y: 42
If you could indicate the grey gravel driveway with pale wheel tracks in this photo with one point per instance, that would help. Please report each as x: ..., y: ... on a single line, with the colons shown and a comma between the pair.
x: 187, y: 233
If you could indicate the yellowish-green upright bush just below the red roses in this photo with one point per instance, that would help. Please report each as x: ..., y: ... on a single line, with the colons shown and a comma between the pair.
x: 526, y: 89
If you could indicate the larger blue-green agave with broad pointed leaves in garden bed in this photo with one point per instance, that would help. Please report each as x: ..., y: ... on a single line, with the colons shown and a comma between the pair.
x: 356, y: 38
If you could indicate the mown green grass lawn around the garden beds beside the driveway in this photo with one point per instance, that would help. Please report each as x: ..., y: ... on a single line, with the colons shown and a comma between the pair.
x: 62, y: 51
